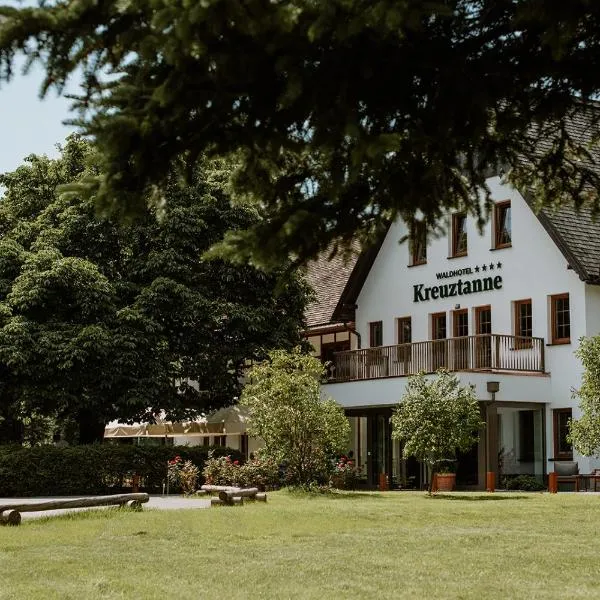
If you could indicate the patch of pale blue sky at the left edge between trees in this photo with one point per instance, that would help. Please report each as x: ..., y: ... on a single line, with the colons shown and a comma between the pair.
x: 28, y: 124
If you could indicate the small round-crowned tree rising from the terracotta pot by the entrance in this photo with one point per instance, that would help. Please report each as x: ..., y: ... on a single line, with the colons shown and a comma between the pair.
x: 436, y: 418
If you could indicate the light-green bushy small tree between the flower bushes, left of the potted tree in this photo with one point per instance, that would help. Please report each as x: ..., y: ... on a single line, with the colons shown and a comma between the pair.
x: 298, y: 426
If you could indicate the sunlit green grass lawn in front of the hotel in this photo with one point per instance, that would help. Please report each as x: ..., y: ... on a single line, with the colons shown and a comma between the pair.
x: 391, y: 545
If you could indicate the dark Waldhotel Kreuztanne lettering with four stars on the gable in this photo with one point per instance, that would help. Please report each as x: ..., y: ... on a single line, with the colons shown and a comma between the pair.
x: 462, y: 287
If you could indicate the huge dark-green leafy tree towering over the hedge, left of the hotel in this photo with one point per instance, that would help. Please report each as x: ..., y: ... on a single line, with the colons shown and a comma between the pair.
x: 100, y: 321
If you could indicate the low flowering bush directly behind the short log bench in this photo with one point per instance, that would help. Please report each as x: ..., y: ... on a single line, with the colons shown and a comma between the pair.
x: 258, y: 472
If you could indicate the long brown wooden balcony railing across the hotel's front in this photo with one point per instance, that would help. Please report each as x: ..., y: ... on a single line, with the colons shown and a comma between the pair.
x: 470, y: 353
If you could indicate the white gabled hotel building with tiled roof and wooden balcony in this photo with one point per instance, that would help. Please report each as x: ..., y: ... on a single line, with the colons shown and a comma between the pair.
x: 504, y: 309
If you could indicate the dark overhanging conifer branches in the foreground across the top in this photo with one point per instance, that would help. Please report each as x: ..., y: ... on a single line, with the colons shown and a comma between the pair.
x: 343, y: 114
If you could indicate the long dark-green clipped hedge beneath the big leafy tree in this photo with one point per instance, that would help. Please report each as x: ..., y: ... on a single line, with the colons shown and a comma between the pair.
x: 95, y: 469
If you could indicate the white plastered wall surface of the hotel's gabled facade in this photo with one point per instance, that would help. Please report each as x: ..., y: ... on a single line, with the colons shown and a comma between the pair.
x: 532, y: 268
